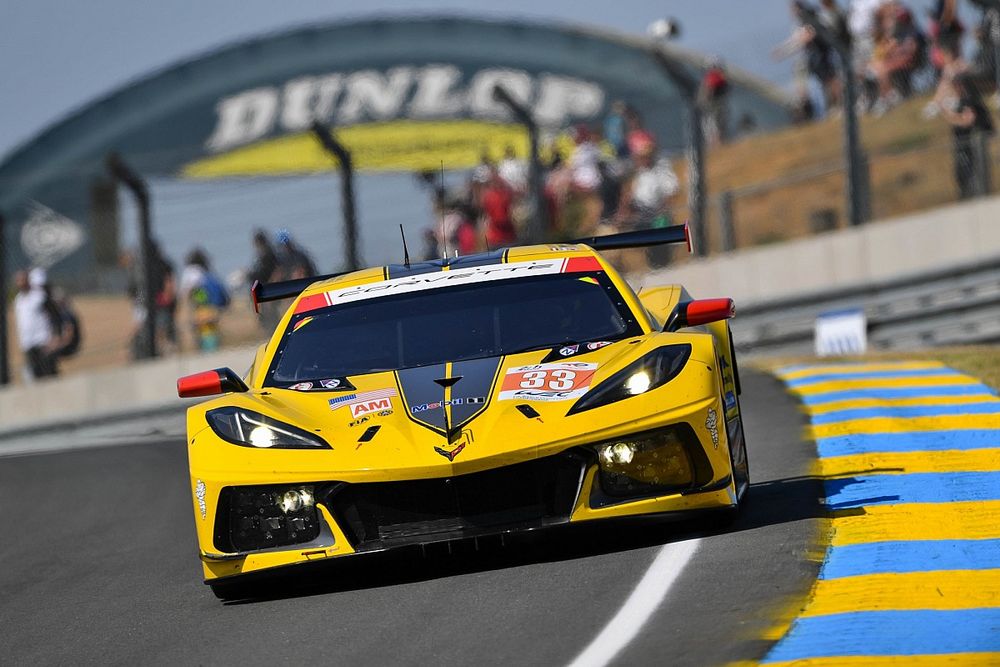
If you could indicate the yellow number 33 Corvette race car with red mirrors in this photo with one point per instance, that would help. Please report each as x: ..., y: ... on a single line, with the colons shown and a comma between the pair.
x: 459, y: 398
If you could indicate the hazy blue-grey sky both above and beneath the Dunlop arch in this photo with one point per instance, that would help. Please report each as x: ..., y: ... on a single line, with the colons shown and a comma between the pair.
x: 59, y: 55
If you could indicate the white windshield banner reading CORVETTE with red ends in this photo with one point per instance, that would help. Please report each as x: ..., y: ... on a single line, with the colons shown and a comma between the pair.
x: 427, y: 281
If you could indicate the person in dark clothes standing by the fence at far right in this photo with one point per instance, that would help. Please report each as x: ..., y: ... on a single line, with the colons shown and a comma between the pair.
x: 971, y: 127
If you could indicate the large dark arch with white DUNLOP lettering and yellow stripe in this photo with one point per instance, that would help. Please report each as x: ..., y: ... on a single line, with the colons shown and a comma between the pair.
x: 402, y: 91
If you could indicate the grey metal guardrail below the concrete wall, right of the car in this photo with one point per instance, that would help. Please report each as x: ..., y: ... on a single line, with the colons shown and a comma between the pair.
x: 948, y: 307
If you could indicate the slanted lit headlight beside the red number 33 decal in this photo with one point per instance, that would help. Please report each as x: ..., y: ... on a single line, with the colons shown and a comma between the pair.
x: 651, y: 371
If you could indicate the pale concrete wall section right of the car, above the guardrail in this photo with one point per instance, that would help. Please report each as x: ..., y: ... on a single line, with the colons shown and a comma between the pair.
x: 955, y: 235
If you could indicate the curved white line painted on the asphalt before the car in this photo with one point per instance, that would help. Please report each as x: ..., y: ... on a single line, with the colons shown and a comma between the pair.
x: 641, y: 604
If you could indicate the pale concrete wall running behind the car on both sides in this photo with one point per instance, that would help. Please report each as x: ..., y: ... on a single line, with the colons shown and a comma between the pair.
x: 947, y: 237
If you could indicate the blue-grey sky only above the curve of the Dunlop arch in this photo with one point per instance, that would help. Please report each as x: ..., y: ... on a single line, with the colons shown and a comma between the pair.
x: 59, y: 54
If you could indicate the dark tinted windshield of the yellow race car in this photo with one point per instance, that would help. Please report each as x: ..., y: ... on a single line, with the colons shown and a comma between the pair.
x: 451, y: 324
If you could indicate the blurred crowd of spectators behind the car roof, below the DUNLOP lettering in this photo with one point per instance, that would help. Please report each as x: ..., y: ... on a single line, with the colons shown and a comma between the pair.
x: 609, y: 177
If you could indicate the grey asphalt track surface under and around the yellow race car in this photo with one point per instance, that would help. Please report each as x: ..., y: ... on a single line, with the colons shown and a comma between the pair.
x: 99, y: 566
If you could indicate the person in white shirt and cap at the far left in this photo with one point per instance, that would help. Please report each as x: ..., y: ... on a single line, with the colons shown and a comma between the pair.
x: 34, y: 326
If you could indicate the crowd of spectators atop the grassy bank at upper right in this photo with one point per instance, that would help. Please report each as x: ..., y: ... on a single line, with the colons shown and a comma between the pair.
x: 893, y: 55
